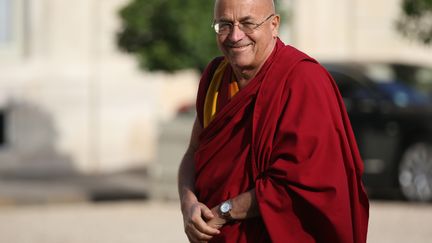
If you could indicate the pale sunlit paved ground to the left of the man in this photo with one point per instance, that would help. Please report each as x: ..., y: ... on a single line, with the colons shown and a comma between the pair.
x: 92, y: 223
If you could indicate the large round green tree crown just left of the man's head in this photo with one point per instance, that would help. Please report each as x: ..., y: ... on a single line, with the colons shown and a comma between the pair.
x: 168, y: 35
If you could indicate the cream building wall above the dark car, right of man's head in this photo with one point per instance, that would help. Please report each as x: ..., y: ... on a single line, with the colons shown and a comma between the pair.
x: 352, y: 29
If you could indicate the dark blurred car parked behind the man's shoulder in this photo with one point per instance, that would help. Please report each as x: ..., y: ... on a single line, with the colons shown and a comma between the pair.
x: 390, y: 108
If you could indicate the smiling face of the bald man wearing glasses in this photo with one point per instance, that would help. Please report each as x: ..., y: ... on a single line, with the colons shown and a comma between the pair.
x: 247, y: 51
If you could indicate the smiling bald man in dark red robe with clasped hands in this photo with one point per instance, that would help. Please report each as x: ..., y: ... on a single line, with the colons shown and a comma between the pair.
x: 272, y: 156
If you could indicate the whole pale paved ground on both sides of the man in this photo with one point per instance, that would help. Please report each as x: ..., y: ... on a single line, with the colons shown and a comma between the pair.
x: 155, y: 221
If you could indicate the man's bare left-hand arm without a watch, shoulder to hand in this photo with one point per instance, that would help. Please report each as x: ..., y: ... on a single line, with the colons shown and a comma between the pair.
x: 194, y: 213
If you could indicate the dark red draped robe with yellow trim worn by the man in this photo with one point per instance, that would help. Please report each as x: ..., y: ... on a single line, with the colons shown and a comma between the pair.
x: 287, y: 136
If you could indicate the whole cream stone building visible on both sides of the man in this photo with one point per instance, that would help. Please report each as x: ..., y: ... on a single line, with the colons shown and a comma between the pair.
x: 70, y: 100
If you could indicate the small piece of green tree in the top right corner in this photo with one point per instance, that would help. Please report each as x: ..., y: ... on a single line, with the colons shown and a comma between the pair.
x: 416, y: 20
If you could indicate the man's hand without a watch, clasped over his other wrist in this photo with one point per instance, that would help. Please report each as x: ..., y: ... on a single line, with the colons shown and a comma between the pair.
x: 195, y: 215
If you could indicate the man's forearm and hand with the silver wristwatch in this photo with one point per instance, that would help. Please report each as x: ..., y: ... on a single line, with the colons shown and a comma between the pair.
x: 244, y: 206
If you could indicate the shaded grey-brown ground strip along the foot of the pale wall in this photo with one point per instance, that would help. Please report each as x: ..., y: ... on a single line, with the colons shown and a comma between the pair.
x: 127, y: 185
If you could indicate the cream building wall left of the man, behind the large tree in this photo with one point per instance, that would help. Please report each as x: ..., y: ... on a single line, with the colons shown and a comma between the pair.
x: 73, y: 101
